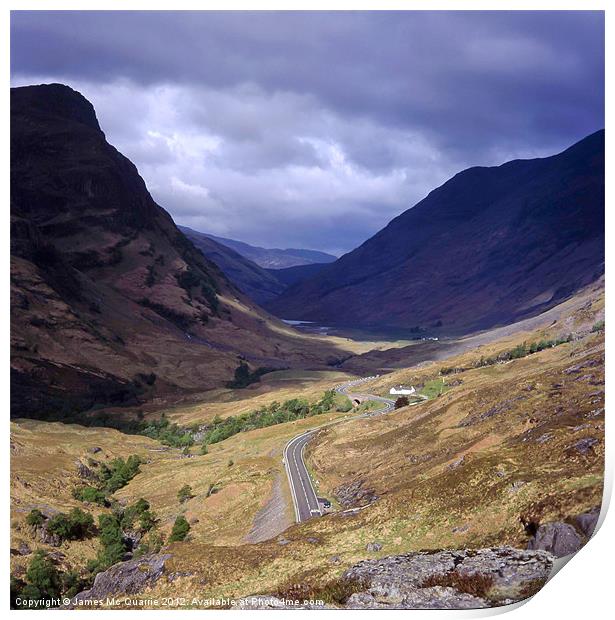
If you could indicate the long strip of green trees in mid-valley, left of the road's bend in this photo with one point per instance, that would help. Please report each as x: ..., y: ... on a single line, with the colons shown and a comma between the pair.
x: 275, y: 413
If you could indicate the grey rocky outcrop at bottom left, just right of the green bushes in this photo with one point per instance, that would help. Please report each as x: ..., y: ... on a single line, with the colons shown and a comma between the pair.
x: 125, y: 578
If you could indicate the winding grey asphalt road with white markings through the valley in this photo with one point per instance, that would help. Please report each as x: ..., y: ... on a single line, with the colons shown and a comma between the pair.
x: 302, y: 490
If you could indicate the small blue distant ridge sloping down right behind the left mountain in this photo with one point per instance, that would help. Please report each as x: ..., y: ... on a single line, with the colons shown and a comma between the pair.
x: 254, y: 281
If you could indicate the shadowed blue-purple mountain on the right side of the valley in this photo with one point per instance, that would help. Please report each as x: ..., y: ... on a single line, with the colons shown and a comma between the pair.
x: 490, y: 246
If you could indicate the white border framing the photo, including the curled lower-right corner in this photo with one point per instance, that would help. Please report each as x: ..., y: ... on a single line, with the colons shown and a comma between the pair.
x: 584, y: 588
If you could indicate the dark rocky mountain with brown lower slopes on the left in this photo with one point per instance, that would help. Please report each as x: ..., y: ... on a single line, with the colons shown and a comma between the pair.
x: 110, y: 303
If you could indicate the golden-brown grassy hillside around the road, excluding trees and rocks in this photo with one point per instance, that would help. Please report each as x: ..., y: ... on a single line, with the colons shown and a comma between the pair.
x: 505, y: 447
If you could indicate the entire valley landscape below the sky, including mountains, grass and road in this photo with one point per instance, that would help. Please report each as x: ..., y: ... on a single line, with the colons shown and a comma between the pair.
x: 191, y: 414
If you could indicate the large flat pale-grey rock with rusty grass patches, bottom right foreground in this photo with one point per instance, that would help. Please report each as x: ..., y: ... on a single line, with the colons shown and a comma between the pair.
x: 462, y: 579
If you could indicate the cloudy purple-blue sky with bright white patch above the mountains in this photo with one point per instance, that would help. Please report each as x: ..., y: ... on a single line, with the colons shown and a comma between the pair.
x: 315, y: 129
